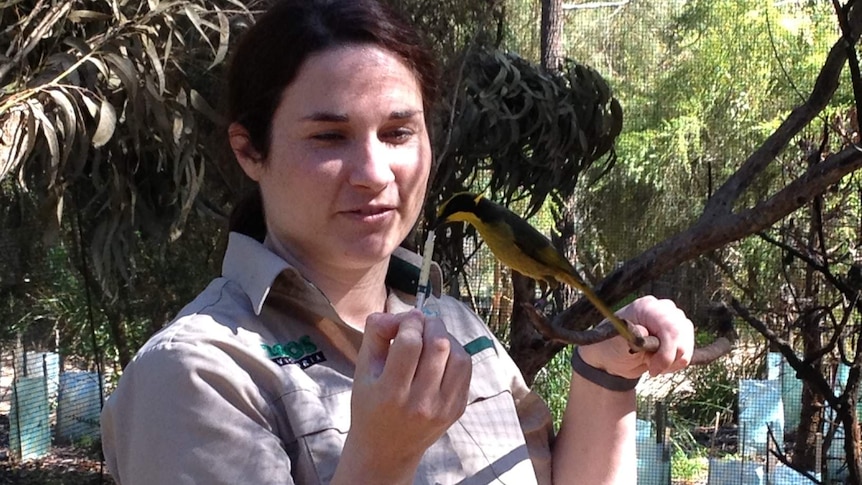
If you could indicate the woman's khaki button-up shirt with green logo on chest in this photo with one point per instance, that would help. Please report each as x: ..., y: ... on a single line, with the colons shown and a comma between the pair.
x: 251, y: 383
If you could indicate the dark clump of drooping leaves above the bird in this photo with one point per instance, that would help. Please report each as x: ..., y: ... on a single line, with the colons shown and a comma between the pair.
x: 516, y: 130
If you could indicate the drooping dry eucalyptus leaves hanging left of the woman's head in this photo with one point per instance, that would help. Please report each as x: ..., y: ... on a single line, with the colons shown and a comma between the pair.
x: 105, y: 119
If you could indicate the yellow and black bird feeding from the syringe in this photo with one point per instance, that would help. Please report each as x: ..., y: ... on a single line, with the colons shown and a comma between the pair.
x: 524, y: 249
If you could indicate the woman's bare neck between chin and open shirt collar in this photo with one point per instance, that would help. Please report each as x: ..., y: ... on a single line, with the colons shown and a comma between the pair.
x: 354, y: 293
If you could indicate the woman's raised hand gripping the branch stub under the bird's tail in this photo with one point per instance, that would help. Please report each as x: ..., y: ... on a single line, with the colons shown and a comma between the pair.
x: 651, y: 316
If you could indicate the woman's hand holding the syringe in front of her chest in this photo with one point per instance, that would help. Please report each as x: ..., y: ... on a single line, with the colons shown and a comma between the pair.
x: 411, y: 384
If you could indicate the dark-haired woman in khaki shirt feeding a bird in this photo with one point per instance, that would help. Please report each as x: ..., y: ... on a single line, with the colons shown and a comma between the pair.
x: 304, y: 362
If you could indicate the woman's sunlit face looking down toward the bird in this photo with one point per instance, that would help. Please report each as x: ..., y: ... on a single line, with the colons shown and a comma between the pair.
x: 349, y: 159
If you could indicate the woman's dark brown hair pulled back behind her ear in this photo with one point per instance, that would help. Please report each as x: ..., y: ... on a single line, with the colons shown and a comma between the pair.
x: 272, y: 52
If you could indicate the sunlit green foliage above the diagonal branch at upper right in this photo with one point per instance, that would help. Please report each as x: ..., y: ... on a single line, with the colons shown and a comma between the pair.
x: 702, y: 83
